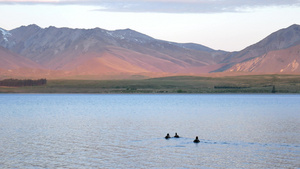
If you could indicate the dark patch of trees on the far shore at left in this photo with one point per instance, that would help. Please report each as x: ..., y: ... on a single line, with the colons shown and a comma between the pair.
x: 21, y: 83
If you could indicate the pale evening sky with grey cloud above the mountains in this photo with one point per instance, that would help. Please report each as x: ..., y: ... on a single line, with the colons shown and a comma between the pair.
x: 229, y: 25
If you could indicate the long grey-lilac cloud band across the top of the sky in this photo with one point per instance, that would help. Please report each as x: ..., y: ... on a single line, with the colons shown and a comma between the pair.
x: 165, y: 6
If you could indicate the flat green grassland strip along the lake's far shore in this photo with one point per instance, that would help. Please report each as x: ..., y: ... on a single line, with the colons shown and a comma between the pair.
x: 175, y: 84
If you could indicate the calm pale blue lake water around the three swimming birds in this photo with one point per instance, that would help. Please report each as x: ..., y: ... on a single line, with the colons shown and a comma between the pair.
x: 127, y: 131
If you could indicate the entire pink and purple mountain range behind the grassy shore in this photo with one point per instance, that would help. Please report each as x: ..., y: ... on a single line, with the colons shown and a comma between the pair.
x: 32, y: 51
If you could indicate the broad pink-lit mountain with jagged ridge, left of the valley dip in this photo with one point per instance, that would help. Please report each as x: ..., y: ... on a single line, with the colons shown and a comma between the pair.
x: 74, y: 49
